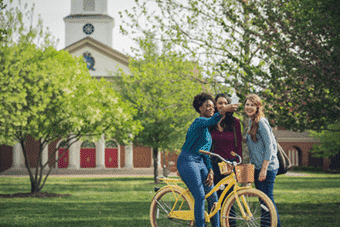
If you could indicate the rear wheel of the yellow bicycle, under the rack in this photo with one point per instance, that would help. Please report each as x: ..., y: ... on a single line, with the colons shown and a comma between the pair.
x: 161, y: 205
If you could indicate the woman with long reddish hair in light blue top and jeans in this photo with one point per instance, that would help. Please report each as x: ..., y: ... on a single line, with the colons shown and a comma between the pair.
x: 262, y: 148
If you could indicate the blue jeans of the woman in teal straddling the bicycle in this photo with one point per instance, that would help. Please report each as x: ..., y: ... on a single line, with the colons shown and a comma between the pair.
x: 194, y: 172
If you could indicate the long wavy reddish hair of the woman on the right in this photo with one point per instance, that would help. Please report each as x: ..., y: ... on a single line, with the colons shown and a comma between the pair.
x: 258, y: 115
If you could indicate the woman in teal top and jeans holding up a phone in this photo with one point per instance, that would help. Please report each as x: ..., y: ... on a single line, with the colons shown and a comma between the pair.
x: 195, y: 168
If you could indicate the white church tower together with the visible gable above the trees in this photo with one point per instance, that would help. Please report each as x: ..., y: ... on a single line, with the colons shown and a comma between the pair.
x: 88, y: 33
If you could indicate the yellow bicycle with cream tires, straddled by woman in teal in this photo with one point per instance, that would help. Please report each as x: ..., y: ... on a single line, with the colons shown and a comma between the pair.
x: 173, y: 205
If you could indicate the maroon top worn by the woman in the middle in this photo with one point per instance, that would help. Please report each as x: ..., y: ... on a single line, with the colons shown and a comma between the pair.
x: 224, y: 142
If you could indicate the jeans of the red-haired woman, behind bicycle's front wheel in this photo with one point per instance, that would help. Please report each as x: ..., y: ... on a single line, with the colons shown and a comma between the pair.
x: 267, y: 186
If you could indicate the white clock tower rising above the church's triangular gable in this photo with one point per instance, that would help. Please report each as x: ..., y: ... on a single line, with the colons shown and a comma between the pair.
x: 88, y: 18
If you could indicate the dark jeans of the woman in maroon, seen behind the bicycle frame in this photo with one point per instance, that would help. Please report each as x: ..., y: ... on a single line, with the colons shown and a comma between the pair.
x: 218, y: 176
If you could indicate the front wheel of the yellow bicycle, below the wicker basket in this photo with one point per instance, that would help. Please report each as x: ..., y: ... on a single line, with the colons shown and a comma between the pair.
x: 261, y: 208
